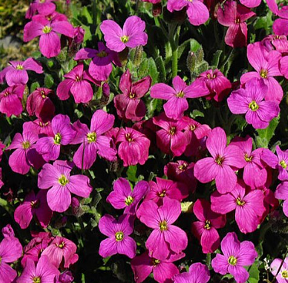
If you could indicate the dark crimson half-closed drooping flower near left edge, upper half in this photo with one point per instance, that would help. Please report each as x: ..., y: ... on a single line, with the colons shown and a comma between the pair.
x: 39, y: 104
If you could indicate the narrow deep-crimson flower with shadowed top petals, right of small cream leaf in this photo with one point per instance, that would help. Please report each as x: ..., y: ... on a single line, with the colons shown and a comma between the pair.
x: 205, y: 229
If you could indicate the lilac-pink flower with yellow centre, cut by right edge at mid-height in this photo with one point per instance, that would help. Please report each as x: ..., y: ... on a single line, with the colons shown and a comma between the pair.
x: 278, y: 162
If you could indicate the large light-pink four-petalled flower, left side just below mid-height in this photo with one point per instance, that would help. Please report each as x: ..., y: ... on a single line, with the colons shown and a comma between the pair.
x: 57, y: 179
